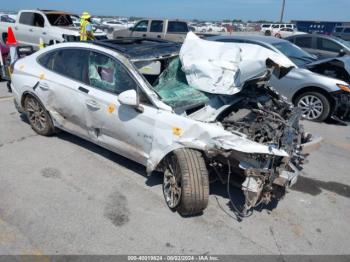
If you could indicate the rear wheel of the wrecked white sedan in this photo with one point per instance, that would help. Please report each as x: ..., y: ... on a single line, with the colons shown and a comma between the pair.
x: 38, y: 117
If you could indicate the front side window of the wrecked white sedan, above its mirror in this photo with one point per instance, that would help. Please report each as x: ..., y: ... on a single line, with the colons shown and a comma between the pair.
x: 108, y: 74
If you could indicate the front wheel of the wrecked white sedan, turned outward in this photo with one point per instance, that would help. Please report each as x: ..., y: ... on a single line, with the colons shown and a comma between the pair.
x: 185, y: 169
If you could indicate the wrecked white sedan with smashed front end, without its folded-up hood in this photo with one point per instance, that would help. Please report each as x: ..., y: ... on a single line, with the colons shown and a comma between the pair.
x: 132, y: 97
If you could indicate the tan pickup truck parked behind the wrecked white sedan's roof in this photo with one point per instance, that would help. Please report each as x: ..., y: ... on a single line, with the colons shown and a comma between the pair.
x: 172, y: 30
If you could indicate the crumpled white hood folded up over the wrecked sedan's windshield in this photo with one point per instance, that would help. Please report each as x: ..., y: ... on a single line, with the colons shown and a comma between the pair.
x: 223, y: 68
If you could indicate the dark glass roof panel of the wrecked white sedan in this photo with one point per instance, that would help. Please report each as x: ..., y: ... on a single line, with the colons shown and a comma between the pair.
x: 141, y: 48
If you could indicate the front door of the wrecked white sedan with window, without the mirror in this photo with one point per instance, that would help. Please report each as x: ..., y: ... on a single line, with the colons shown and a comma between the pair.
x: 121, y: 128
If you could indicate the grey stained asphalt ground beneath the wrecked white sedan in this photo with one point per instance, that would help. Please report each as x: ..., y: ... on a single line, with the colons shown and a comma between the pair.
x: 63, y: 195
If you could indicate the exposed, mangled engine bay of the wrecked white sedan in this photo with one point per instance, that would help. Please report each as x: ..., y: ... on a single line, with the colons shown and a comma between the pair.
x: 267, y: 118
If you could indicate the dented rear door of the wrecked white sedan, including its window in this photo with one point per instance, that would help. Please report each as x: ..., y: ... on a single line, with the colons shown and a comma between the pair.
x: 61, y: 88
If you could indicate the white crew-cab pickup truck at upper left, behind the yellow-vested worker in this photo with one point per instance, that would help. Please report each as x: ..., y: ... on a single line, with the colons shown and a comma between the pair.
x: 51, y: 26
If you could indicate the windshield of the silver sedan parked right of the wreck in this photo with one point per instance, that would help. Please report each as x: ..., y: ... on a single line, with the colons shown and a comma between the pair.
x: 294, y: 53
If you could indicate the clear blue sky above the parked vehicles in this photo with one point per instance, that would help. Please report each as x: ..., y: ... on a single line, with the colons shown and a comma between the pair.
x: 334, y: 10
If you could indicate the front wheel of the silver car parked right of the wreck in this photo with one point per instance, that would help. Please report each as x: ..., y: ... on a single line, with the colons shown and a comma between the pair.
x: 321, y: 106
